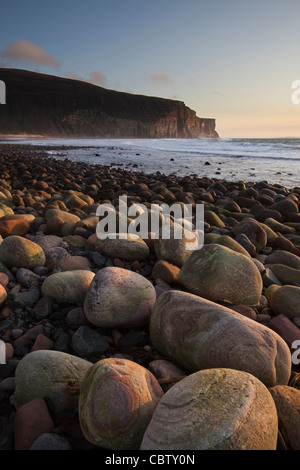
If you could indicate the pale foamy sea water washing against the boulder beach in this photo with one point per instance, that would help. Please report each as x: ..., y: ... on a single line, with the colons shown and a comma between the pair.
x: 276, y: 161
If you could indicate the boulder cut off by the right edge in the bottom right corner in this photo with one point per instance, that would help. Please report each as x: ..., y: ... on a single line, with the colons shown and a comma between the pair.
x: 287, y: 401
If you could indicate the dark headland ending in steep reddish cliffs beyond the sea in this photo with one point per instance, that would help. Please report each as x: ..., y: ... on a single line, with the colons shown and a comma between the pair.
x: 49, y: 106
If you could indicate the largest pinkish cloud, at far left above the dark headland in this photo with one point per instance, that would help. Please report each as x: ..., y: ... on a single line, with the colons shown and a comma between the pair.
x: 28, y: 52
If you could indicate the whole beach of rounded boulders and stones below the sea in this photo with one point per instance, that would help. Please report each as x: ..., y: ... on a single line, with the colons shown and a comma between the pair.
x: 142, y: 344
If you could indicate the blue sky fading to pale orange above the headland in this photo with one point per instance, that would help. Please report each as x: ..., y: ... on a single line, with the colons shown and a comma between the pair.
x: 232, y: 60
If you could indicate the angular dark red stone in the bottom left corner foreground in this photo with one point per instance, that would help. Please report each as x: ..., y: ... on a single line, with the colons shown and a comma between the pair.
x: 31, y: 420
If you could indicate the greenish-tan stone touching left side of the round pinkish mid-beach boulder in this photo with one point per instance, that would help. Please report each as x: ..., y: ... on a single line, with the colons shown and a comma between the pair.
x: 68, y: 286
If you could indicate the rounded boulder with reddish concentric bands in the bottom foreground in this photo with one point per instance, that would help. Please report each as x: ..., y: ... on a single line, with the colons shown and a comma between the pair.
x: 117, y: 399
